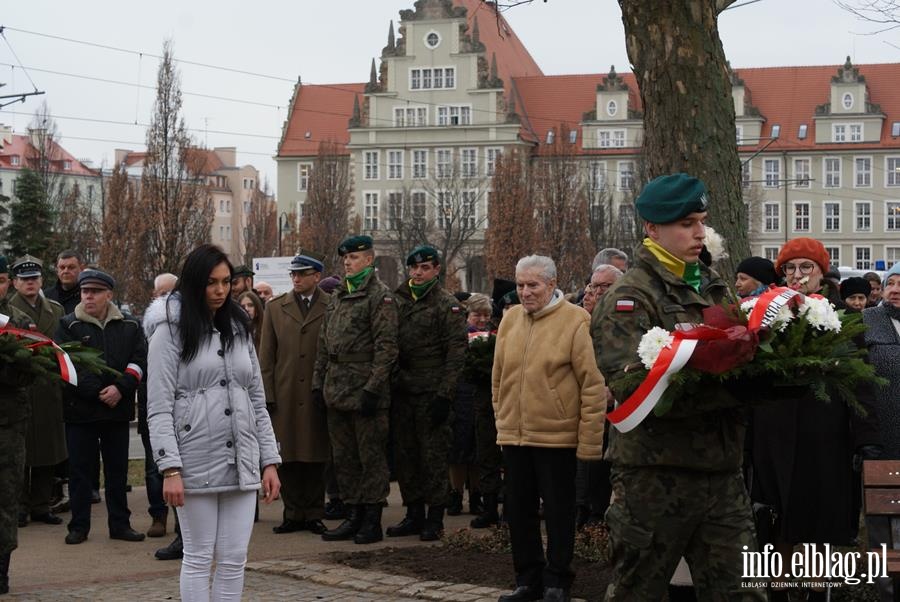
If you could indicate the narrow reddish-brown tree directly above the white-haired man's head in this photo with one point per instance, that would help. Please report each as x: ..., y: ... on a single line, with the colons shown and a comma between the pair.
x: 511, y: 232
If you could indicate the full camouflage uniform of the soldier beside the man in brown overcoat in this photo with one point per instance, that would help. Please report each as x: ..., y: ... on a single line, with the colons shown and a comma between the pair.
x: 357, y: 351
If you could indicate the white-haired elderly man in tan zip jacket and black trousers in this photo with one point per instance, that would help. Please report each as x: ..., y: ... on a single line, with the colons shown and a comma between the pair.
x: 550, y: 402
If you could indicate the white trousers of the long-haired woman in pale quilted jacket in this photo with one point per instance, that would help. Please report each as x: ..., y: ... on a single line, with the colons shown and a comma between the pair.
x: 215, y: 526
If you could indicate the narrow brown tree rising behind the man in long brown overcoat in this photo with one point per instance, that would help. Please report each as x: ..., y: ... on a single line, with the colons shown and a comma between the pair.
x: 326, y: 212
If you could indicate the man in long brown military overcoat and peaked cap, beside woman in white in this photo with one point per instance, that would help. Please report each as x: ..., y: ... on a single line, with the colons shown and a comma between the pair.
x: 287, y: 355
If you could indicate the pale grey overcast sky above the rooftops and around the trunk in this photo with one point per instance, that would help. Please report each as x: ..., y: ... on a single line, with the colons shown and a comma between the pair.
x: 325, y: 41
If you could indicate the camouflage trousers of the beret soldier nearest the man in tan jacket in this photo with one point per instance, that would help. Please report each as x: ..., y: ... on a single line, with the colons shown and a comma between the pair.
x: 420, y: 451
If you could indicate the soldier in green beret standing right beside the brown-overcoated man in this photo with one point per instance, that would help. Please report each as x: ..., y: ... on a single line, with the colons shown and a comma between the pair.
x: 356, y: 353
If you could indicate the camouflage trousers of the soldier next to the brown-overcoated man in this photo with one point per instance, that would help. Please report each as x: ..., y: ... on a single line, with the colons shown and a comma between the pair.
x: 359, y: 449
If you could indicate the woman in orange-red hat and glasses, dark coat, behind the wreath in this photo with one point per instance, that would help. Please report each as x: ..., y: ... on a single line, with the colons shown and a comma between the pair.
x: 805, y: 453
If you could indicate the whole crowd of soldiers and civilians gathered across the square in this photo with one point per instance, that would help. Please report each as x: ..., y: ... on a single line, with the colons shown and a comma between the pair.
x: 321, y: 395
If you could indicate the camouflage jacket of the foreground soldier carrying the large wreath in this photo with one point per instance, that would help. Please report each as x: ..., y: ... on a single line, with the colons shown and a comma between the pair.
x: 703, y: 430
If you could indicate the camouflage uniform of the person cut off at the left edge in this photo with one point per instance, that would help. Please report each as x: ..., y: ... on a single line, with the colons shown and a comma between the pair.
x: 14, y: 415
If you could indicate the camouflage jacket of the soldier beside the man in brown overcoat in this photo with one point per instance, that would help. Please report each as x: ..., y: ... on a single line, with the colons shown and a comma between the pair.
x: 357, y: 345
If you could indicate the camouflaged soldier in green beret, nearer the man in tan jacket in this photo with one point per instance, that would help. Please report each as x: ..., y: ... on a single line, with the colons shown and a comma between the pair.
x: 432, y: 341
